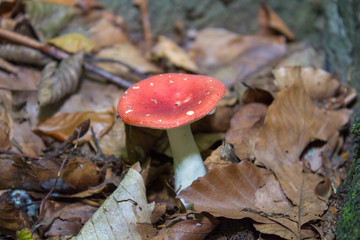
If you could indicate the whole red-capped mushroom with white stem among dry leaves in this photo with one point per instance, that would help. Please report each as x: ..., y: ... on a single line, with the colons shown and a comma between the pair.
x: 172, y: 101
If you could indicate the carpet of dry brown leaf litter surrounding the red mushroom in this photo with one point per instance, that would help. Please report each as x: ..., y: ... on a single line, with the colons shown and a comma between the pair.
x: 270, y: 147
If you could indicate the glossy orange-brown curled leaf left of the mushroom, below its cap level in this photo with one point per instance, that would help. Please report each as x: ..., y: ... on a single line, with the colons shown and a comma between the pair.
x: 62, y: 125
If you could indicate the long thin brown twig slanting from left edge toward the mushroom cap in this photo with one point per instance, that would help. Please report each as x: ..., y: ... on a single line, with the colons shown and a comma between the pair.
x: 59, y: 54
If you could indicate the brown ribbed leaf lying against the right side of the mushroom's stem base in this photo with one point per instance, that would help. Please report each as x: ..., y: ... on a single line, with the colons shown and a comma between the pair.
x: 226, y: 191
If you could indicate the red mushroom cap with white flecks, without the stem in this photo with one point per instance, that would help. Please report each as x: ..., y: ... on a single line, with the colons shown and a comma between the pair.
x: 170, y: 100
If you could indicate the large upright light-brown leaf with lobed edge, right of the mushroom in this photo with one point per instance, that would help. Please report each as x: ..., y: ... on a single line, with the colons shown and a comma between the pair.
x: 291, y: 123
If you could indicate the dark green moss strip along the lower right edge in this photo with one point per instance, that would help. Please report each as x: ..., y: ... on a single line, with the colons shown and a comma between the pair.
x: 349, y: 221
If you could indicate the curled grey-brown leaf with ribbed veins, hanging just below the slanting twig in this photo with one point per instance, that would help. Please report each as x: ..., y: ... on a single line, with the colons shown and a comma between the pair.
x: 56, y: 82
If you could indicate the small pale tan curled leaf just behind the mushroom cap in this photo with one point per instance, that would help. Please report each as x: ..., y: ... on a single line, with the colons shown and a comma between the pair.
x: 166, y: 48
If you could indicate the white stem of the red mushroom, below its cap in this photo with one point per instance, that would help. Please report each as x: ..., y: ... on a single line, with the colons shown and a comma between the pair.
x: 188, y: 164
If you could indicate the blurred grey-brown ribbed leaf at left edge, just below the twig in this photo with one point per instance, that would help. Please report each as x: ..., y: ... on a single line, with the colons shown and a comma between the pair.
x: 22, y: 54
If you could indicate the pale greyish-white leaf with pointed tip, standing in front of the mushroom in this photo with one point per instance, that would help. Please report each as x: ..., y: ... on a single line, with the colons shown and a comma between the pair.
x: 124, y: 215
